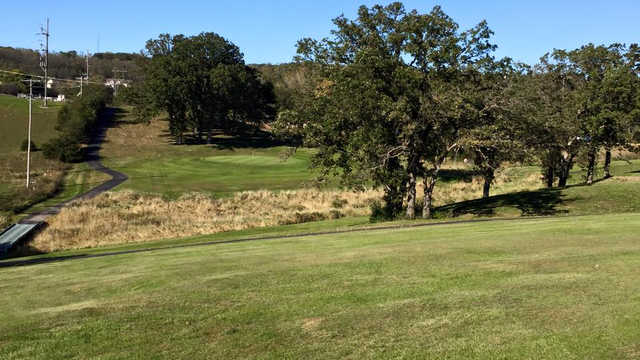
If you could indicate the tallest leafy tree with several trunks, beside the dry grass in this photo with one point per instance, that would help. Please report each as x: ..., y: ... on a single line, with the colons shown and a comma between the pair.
x: 391, y: 98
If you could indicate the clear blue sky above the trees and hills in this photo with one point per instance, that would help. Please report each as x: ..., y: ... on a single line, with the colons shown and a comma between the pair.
x: 266, y: 31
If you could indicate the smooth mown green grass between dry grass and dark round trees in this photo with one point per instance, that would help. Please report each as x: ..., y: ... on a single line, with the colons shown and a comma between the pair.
x: 219, y: 172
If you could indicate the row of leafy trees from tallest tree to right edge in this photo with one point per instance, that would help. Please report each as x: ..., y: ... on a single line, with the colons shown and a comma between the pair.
x: 394, y: 93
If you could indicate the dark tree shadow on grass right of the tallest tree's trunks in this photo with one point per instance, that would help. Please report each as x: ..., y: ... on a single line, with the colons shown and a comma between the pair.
x: 529, y: 203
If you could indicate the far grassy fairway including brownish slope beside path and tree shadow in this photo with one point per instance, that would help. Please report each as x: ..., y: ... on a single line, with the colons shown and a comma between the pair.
x: 146, y: 154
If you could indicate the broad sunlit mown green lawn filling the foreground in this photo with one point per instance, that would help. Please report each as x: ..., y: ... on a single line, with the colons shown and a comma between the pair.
x: 558, y: 288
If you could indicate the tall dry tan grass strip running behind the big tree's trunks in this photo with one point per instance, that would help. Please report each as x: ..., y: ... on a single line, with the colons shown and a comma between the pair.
x: 124, y: 217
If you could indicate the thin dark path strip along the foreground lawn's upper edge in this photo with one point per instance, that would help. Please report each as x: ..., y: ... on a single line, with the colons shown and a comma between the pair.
x: 273, y: 237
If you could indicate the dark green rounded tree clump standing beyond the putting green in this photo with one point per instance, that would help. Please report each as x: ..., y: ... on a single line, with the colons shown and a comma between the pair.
x: 203, y: 85
